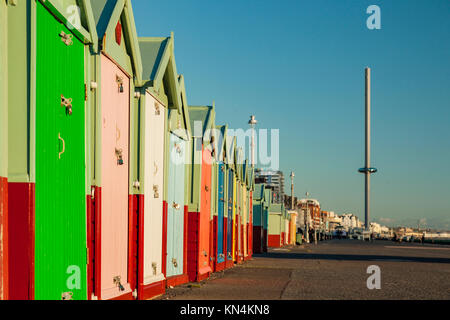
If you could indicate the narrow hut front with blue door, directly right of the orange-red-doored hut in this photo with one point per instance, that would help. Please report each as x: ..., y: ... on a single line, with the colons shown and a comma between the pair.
x: 221, y: 213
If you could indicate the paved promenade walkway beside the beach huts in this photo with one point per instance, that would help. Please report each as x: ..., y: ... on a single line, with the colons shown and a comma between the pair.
x: 335, y: 269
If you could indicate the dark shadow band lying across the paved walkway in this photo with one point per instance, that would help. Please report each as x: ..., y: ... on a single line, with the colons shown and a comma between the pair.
x: 350, y: 257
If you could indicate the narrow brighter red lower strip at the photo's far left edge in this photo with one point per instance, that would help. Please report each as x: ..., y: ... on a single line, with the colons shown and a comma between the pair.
x: 4, y: 282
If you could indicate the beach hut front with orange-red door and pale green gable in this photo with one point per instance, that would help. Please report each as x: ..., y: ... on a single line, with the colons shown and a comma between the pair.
x: 199, y: 239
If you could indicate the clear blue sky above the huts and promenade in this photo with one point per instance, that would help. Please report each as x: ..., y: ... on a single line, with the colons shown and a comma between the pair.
x: 299, y: 67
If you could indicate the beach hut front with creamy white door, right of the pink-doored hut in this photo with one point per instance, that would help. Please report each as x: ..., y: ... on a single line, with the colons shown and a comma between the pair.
x: 158, y: 93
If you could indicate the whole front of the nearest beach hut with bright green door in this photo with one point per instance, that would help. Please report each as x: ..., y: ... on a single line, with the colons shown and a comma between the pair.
x: 47, y: 185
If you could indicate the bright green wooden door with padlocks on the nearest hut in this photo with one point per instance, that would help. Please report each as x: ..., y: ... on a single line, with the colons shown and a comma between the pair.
x: 60, y: 217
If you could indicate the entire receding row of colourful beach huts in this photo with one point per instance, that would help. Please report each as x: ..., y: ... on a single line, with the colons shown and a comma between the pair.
x: 111, y: 185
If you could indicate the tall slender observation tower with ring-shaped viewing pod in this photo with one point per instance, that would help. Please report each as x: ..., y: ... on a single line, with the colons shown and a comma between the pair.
x: 367, y: 170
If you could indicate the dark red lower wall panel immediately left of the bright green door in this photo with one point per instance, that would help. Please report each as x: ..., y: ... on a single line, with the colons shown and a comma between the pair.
x: 21, y: 211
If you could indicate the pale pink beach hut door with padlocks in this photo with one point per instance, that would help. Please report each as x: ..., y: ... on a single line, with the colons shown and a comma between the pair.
x: 115, y: 94
